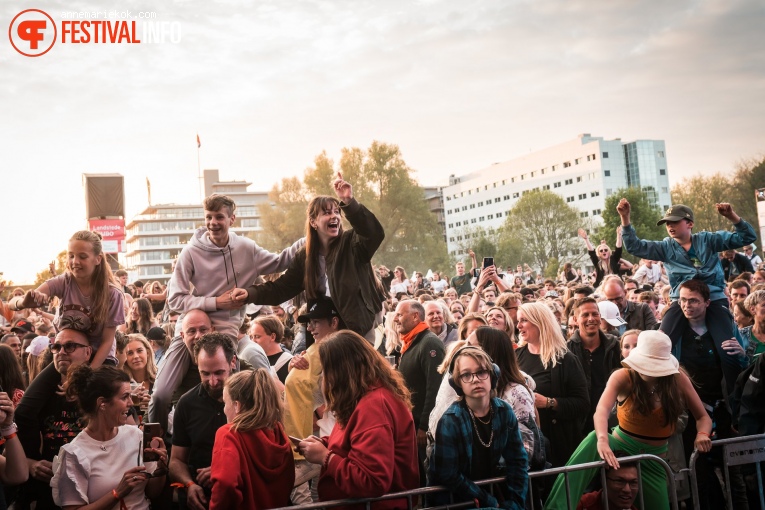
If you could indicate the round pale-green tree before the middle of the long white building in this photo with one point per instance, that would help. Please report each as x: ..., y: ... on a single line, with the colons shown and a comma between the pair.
x: 545, y: 226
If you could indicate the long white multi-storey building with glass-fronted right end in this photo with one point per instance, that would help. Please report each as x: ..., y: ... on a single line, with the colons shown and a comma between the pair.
x: 584, y: 171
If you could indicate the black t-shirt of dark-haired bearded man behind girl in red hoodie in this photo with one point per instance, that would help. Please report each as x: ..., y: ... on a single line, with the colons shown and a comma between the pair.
x: 197, y: 418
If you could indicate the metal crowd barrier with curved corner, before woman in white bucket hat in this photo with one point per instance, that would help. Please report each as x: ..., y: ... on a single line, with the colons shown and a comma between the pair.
x: 411, y: 495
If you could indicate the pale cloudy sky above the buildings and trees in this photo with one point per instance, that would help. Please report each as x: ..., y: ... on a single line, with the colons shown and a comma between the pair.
x: 456, y: 85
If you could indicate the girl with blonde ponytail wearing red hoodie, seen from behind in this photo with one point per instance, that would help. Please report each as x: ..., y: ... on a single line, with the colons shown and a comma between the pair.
x: 252, y: 464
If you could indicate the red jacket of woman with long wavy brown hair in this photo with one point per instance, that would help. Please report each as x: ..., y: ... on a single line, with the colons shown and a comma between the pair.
x: 375, y: 453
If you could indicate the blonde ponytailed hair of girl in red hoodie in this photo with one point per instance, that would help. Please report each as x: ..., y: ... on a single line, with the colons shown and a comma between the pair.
x: 260, y: 406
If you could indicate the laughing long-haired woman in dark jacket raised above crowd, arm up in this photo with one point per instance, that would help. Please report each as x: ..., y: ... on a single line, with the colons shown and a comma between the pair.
x: 333, y: 262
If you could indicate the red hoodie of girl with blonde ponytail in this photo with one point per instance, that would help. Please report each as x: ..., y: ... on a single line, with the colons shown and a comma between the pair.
x: 251, y: 470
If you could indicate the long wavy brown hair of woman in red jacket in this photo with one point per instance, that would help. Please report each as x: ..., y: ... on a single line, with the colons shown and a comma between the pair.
x: 351, y: 368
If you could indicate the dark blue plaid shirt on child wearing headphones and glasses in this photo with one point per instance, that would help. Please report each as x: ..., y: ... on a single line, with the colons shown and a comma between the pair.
x: 453, y: 451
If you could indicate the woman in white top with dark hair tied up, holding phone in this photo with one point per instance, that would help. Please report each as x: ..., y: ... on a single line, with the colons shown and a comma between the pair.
x: 103, y: 466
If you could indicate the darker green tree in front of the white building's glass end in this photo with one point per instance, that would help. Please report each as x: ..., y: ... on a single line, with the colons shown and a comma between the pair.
x: 643, y: 216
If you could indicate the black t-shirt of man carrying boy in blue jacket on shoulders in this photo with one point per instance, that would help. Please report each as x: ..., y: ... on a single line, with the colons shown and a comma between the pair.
x: 702, y: 362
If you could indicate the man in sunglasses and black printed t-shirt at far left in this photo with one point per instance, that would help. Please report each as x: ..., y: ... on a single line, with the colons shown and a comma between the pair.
x: 46, y: 419
